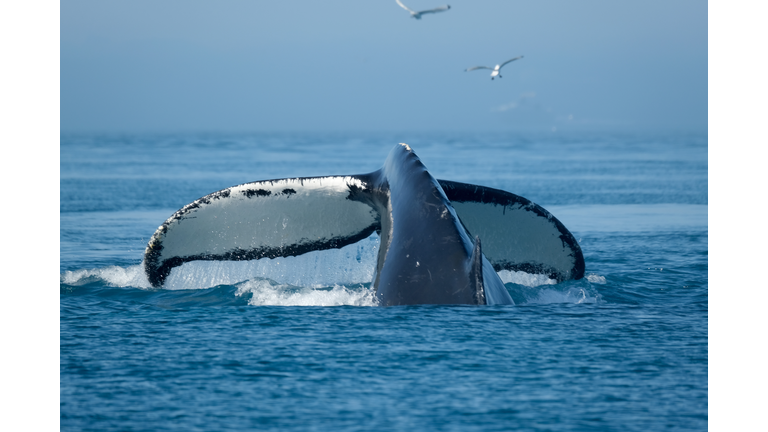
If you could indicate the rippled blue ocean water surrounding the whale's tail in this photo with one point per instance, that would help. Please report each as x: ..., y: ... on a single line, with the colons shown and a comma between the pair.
x: 297, y: 344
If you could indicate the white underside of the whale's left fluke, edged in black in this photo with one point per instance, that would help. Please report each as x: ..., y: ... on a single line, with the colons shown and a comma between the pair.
x: 265, y: 214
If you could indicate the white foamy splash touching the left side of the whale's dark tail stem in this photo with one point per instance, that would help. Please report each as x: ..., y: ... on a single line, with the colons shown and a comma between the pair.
x: 269, y: 293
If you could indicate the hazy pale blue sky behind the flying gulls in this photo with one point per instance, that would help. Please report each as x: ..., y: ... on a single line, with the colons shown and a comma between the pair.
x: 364, y: 65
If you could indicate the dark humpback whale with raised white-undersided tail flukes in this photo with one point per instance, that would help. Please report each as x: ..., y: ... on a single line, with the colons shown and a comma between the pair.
x: 441, y: 242
